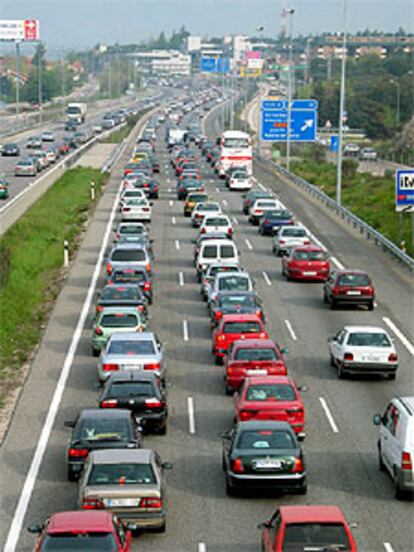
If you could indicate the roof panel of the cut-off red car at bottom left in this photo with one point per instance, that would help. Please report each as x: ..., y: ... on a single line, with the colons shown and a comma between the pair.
x: 80, y: 520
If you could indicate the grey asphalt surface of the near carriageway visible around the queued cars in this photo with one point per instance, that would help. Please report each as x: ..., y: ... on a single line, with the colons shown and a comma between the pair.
x: 340, y: 447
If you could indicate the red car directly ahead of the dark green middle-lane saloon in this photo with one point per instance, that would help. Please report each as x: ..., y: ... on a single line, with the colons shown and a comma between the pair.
x: 270, y: 398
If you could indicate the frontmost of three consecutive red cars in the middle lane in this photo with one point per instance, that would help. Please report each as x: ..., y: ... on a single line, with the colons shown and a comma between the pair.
x: 233, y: 327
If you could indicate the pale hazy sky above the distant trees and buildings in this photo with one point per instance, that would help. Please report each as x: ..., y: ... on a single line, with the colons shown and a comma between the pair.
x: 83, y: 23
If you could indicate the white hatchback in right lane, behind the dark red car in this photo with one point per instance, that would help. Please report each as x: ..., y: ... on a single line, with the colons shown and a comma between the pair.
x: 363, y: 350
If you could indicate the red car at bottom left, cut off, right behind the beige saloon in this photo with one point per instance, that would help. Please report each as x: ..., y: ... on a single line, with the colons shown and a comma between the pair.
x: 82, y: 530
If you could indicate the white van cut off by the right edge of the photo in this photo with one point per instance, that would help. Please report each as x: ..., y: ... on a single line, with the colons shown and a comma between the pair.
x: 396, y: 443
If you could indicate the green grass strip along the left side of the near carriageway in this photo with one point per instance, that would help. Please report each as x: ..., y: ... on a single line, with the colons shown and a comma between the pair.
x: 31, y: 258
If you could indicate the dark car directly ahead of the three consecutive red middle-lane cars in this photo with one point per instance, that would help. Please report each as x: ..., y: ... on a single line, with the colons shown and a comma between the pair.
x: 235, y: 302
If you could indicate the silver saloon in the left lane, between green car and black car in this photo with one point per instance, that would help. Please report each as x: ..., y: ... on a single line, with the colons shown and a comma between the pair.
x: 132, y: 351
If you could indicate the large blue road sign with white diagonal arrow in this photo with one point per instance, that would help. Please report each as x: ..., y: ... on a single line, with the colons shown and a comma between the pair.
x: 303, y: 120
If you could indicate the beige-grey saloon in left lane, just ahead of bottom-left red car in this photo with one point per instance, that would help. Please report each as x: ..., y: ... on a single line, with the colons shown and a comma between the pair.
x: 128, y: 483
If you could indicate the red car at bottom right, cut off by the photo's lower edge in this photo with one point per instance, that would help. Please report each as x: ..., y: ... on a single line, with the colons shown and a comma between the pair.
x: 307, y: 528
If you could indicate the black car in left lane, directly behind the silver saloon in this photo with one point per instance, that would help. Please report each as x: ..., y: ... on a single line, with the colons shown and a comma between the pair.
x: 140, y: 392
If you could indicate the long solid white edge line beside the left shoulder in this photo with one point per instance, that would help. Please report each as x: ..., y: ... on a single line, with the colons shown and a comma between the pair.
x: 27, y: 490
